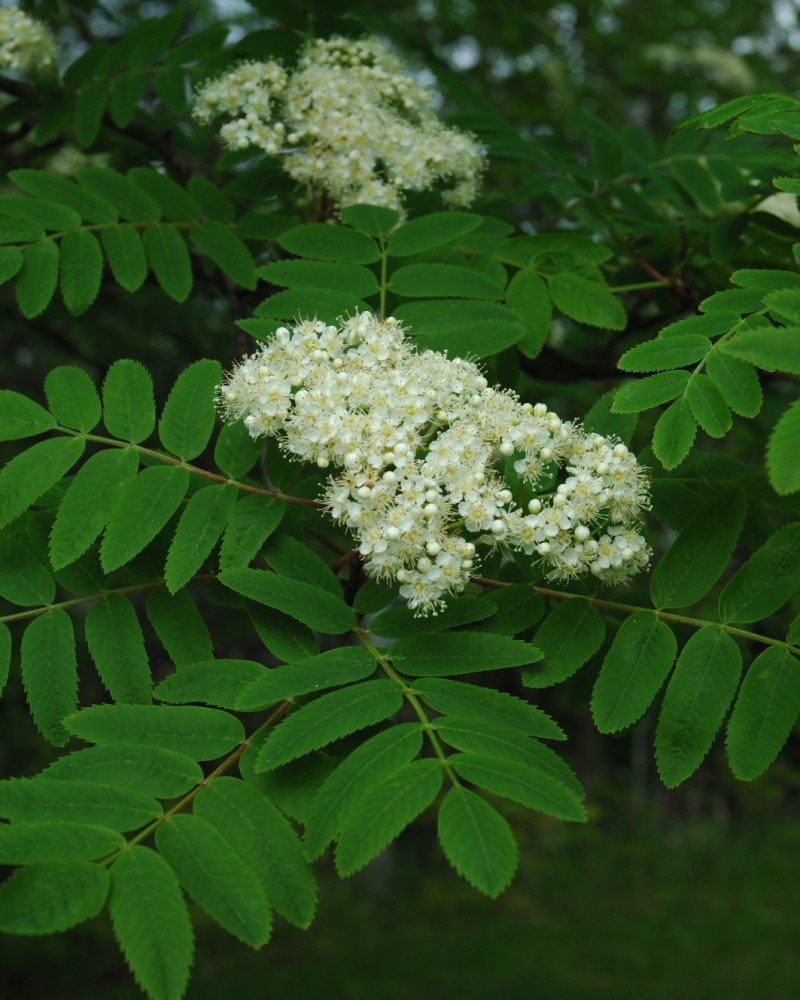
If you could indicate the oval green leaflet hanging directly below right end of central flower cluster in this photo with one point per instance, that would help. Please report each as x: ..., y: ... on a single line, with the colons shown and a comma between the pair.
x: 633, y: 671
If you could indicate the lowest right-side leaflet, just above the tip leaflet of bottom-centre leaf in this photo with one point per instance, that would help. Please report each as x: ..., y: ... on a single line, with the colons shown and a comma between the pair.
x: 521, y: 783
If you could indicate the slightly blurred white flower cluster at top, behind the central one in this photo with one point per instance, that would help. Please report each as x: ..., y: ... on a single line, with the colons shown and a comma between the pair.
x: 349, y: 120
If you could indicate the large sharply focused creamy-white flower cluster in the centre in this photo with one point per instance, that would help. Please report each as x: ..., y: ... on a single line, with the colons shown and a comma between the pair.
x: 417, y: 438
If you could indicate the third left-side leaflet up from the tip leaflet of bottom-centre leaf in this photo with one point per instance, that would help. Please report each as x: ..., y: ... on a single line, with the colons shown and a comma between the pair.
x: 329, y: 718
